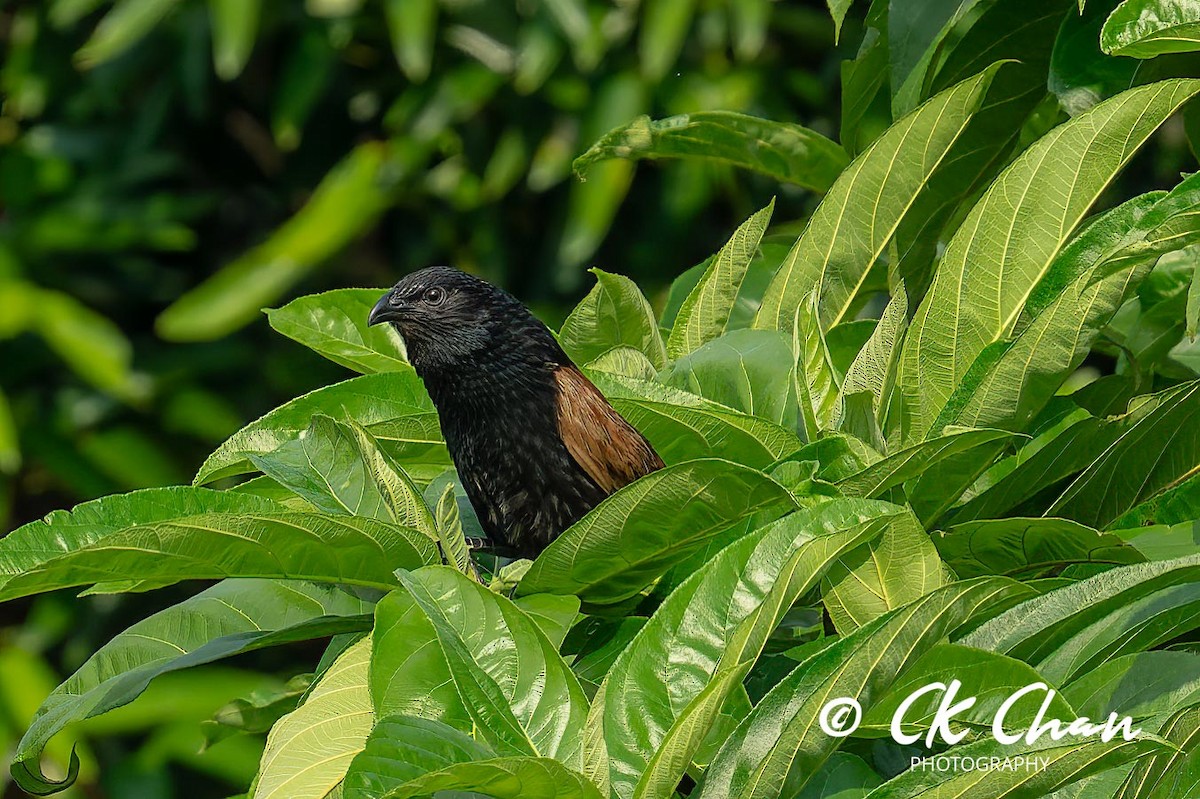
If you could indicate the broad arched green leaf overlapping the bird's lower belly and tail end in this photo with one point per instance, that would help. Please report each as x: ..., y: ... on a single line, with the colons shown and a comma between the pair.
x: 640, y: 532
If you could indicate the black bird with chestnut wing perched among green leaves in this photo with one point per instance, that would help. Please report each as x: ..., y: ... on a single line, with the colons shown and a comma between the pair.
x: 535, y: 442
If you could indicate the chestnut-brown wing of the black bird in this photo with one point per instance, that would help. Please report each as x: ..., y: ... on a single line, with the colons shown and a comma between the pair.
x: 602, y: 442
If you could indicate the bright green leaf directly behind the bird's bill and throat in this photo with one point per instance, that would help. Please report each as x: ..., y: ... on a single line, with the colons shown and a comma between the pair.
x: 334, y: 325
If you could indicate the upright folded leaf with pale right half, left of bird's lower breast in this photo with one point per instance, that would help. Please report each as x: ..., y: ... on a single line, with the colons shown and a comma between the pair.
x: 340, y: 470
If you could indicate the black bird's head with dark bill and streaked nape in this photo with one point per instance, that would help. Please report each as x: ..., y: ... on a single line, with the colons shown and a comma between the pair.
x: 453, y: 322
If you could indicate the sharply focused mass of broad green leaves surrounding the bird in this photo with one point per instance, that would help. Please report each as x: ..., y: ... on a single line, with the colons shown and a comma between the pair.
x: 950, y: 431
